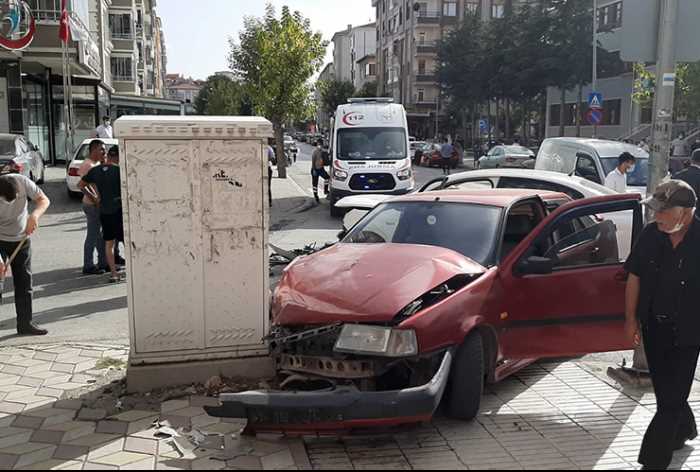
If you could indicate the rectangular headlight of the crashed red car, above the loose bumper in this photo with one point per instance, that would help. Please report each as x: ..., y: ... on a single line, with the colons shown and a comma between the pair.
x: 377, y: 341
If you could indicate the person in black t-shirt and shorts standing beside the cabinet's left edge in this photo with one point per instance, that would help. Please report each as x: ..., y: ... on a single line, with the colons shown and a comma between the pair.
x: 108, y: 182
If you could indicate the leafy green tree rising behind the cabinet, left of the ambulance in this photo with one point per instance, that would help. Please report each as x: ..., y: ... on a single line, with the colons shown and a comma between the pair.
x: 276, y: 58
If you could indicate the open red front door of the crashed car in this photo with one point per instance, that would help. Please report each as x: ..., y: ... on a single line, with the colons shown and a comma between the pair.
x: 561, y: 292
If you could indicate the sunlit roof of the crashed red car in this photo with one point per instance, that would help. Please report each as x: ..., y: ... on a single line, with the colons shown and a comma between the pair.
x: 493, y: 197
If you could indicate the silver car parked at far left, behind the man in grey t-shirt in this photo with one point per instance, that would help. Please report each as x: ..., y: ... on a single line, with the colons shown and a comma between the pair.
x: 19, y: 156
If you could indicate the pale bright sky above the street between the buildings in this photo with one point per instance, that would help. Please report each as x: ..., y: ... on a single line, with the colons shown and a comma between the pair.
x: 197, y: 43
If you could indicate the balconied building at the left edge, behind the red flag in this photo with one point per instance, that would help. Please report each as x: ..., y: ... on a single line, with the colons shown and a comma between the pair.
x: 102, y: 64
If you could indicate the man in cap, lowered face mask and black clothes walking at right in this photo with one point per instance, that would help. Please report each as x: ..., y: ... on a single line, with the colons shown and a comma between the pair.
x: 663, y: 295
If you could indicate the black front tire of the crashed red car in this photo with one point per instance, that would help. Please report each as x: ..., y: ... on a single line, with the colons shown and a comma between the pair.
x: 467, y: 379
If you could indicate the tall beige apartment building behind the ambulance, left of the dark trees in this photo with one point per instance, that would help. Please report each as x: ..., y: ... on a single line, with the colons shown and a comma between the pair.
x: 408, y: 34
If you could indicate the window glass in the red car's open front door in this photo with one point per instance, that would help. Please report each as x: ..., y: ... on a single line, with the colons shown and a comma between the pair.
x: 582, y: 241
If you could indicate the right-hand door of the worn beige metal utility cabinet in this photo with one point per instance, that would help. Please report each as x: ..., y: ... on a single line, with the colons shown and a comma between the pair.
x: 234, y: 216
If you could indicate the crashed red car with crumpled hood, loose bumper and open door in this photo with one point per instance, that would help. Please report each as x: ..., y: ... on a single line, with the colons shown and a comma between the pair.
x: 433, y: 294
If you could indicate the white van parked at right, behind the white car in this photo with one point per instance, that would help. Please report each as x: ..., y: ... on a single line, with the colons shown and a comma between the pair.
x: 592, y: 159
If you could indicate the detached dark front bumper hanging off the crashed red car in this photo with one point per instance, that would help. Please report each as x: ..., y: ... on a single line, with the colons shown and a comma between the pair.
x: 338, y: 409
